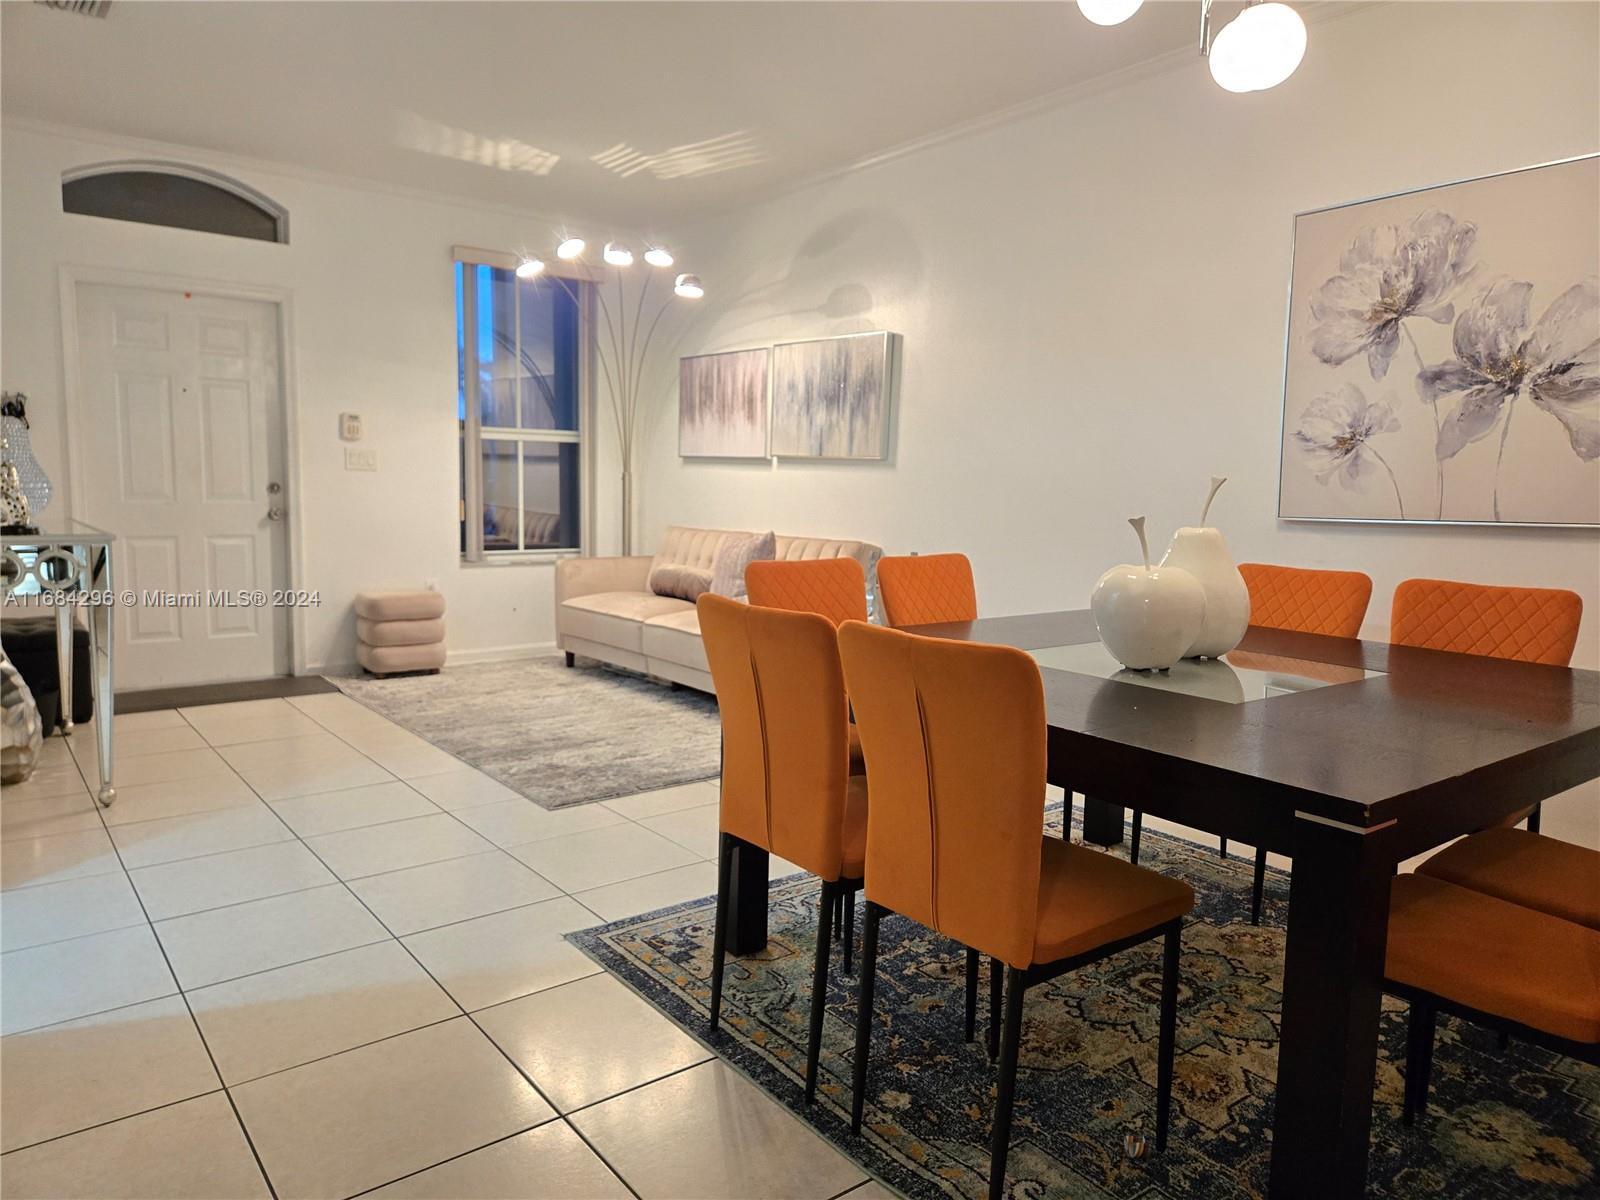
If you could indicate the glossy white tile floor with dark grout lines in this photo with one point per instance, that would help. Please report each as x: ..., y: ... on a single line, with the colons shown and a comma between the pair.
x: 306, y: 954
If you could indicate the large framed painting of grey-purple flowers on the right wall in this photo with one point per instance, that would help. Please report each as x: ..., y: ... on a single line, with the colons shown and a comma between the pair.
x: 1444, y: 354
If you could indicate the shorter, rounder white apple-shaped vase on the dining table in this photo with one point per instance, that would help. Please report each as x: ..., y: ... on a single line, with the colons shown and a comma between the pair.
x: 1148, y: 617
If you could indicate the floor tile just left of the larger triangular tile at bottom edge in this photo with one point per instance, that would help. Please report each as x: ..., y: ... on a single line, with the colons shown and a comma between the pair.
x: 374, y: 1114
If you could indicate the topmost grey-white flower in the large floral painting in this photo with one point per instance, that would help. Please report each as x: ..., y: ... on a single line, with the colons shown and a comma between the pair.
x: 1388, y: 274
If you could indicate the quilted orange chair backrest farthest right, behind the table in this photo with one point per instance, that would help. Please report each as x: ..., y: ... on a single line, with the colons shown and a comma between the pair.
x: 1534, y: 625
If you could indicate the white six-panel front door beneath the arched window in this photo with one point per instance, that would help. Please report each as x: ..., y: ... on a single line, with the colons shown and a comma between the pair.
x: 182, y: 436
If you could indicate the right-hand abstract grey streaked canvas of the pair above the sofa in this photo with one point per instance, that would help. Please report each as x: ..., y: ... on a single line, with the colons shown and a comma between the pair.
x: 831, y: 398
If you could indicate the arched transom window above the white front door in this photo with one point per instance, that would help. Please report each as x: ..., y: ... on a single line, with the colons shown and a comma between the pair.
x: 182, y: 198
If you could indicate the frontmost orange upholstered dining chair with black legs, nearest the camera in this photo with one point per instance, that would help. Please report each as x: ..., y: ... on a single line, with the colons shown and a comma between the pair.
x: 956, y: 761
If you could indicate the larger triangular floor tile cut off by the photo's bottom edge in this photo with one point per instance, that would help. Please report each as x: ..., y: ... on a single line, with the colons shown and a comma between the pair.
x: 545, y: 1164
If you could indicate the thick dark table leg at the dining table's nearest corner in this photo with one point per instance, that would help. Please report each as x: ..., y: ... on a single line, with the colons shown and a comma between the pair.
x: 1332, y: 996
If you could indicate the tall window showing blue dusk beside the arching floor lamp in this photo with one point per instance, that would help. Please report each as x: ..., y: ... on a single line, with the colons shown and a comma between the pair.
x: 521, y: 412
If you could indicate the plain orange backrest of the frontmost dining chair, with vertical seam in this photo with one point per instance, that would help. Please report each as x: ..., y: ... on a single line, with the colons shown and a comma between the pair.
x: 954, y: 737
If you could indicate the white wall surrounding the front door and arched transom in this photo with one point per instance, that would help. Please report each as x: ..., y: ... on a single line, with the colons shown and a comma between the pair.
x: 374, y: 332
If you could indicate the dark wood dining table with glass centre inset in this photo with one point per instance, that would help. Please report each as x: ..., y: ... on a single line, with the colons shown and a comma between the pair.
x: 1383, y: 754
